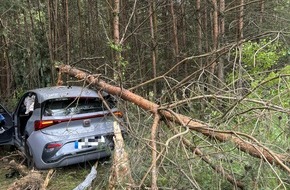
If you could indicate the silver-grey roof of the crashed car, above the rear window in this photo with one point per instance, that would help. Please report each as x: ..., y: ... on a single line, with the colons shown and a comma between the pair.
x: 47, y: 93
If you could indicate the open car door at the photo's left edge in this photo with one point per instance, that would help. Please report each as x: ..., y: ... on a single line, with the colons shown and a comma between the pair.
x: 7, y: 128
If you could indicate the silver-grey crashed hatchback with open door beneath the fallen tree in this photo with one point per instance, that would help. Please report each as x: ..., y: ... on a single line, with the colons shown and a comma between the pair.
x: 59, y: 126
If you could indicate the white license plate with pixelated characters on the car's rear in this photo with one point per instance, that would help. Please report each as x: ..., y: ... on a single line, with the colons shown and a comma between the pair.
x: 89, y: 142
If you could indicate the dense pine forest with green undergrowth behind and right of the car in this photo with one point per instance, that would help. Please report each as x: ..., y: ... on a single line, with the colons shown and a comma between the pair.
x: 223, y: 63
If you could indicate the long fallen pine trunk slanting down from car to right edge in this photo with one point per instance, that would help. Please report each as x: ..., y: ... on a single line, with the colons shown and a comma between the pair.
x: 250, y: 146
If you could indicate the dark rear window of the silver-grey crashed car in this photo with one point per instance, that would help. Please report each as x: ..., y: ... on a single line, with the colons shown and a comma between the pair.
x: 72, y: 106
